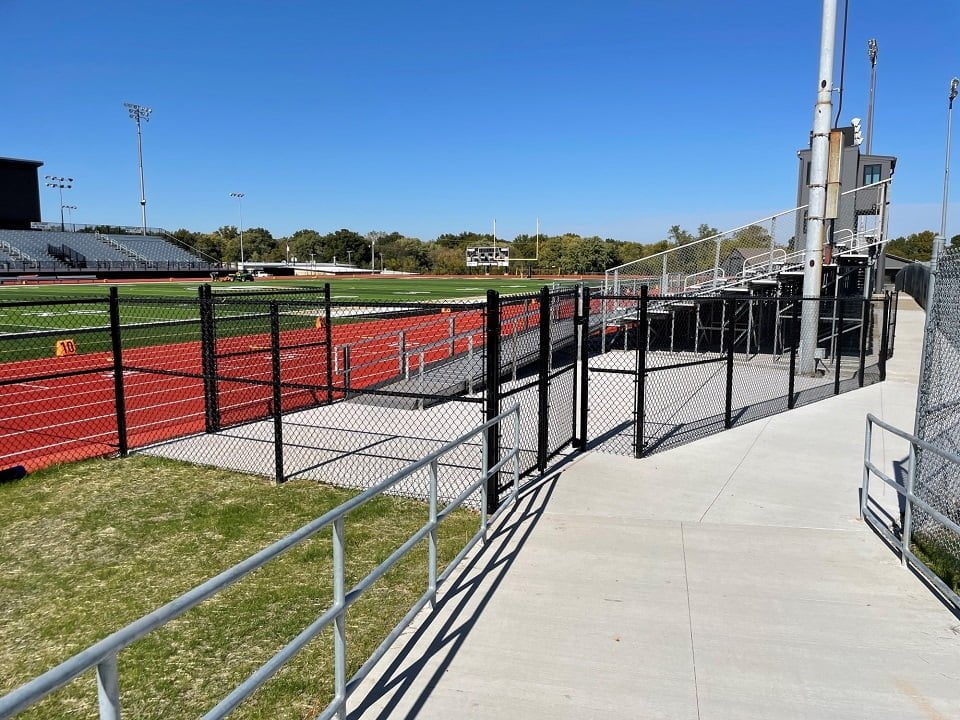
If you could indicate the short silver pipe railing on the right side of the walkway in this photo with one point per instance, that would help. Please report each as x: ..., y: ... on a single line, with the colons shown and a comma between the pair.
x: 906, y: 491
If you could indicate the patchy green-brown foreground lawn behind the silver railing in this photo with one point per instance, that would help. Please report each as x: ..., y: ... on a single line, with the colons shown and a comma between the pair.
x: 86, y: 548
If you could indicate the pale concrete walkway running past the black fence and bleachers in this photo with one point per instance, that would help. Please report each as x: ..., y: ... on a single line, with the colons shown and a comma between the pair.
x: 725, y: 579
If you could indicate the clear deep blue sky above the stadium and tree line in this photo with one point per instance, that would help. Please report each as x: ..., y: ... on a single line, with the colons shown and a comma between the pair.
x: 609, y: 118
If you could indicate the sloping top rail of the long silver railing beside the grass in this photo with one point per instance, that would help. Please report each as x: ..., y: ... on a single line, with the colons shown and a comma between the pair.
x: 58, y: 676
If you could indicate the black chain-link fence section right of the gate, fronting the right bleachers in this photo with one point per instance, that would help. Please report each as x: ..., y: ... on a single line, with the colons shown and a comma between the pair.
x: 664, y: 371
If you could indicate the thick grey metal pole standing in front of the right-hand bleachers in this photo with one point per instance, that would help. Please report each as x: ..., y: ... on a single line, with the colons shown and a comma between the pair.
x: 816, y: 225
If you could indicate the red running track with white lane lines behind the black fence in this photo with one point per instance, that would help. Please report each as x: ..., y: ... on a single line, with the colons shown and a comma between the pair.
x: 64, y: 419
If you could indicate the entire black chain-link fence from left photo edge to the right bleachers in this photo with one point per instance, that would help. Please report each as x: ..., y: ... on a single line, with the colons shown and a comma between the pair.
x: 294, y: 383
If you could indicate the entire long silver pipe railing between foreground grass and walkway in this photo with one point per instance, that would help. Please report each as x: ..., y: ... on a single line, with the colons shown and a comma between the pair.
x: 103, y: 655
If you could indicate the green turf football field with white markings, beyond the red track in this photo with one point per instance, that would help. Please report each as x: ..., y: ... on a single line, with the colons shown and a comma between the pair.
x: 162, y: 313
